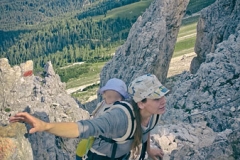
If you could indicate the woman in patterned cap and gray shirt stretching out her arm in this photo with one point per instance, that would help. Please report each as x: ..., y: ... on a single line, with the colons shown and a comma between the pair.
x: 125, y: 125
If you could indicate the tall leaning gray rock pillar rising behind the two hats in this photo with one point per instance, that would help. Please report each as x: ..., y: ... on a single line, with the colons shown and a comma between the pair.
x: 150, y: 43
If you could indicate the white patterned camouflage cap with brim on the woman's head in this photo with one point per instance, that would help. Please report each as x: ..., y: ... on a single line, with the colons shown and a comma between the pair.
x: 146, y: 86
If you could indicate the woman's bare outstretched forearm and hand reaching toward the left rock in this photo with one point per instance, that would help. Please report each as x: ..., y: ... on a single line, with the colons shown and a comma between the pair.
x: 68, y: 129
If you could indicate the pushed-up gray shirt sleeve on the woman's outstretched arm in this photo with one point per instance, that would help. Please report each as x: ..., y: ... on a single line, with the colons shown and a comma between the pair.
x: 112, y: 124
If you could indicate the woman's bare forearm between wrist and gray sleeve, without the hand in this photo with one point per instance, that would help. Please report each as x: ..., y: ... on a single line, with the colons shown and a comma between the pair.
x: 69, y: 129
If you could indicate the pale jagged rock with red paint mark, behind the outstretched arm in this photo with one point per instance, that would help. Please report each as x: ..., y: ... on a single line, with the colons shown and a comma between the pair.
x: 44, y: 97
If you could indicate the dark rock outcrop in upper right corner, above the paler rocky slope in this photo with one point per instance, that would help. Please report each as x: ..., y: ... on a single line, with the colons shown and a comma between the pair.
x: 214, y: 28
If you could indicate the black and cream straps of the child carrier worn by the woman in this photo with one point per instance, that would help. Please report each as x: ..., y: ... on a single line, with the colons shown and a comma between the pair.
x: 127, y: 108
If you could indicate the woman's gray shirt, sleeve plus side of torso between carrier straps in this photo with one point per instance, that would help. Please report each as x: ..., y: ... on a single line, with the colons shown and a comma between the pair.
x: 111, y: 124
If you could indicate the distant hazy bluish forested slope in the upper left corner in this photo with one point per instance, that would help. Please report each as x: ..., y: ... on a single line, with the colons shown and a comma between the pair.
x: 15, y: 14
